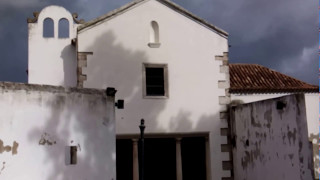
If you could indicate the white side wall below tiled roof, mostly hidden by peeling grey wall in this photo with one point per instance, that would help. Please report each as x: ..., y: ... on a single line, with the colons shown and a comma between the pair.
x: 312, y: 111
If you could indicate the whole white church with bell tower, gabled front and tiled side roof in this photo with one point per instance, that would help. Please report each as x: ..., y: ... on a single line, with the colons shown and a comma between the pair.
x: 171, y: 68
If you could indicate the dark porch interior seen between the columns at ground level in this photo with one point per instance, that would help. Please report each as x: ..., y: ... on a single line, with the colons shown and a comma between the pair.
x: 160, y: 158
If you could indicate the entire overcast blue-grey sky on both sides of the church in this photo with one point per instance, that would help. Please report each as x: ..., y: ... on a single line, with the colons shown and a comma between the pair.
x: 279, y: 34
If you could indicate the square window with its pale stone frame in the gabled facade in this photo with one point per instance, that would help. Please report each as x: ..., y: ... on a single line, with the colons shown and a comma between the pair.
x: 155, y: 80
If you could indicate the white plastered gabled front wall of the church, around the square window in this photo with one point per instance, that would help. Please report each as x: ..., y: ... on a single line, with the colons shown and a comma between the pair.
x: 120, y: 47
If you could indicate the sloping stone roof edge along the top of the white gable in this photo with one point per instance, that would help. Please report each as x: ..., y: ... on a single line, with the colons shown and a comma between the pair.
x: 167, y: 3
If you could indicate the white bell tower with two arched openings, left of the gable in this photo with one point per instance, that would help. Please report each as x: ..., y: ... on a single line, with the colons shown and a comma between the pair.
x: 52, y: 61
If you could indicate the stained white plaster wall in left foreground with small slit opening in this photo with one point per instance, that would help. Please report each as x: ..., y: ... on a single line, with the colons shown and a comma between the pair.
x: 39, y: 123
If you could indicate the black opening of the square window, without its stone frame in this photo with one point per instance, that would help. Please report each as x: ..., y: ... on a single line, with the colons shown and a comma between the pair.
x: 155, y: 81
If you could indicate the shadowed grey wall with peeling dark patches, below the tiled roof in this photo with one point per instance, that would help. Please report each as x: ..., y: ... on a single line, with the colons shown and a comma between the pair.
x: 271, y: 143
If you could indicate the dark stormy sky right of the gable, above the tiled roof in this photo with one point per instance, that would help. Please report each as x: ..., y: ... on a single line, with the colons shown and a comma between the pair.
x: 282, y: 35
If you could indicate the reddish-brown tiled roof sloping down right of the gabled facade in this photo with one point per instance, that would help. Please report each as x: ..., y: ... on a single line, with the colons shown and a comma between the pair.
x: 253, y: 78
